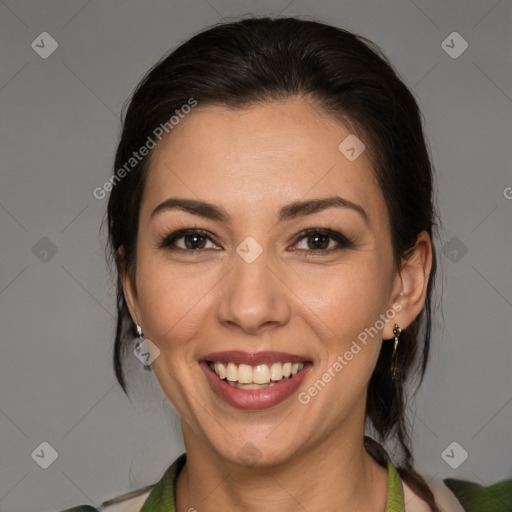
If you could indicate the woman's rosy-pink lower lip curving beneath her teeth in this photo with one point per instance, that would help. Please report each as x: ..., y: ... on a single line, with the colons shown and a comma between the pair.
x: 254, y: 399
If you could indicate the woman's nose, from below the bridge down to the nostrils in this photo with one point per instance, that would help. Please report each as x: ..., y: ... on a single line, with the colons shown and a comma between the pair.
x: 253, y: 299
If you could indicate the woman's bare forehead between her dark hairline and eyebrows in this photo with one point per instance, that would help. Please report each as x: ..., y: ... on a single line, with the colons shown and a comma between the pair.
x: 268, y: 152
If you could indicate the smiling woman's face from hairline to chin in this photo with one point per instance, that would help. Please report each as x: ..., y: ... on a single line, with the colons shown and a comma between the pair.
x: 250, y: 281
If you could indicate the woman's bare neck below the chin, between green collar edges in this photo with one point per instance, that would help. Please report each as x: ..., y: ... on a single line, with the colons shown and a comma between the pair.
x: 336, y: 474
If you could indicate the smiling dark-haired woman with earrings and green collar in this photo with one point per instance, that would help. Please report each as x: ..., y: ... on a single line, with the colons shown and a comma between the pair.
x: 271, y: 217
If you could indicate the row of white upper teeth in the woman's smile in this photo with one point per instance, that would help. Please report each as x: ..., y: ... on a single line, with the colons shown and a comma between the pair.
x: 260, y: 374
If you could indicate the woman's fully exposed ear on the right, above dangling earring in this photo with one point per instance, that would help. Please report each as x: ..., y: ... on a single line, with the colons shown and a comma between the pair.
x: 410, y: 285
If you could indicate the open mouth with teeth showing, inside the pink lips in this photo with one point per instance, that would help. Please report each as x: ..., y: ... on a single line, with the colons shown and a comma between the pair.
x: 244, y: 376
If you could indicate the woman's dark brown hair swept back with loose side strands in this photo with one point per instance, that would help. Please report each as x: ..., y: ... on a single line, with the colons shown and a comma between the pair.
x: 347, y: 78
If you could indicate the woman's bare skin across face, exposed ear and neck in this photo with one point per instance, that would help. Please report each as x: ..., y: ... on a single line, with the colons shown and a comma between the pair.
x: 252, y: 162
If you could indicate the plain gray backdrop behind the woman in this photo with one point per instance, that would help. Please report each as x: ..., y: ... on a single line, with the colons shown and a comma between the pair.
x: 59, y: 129
